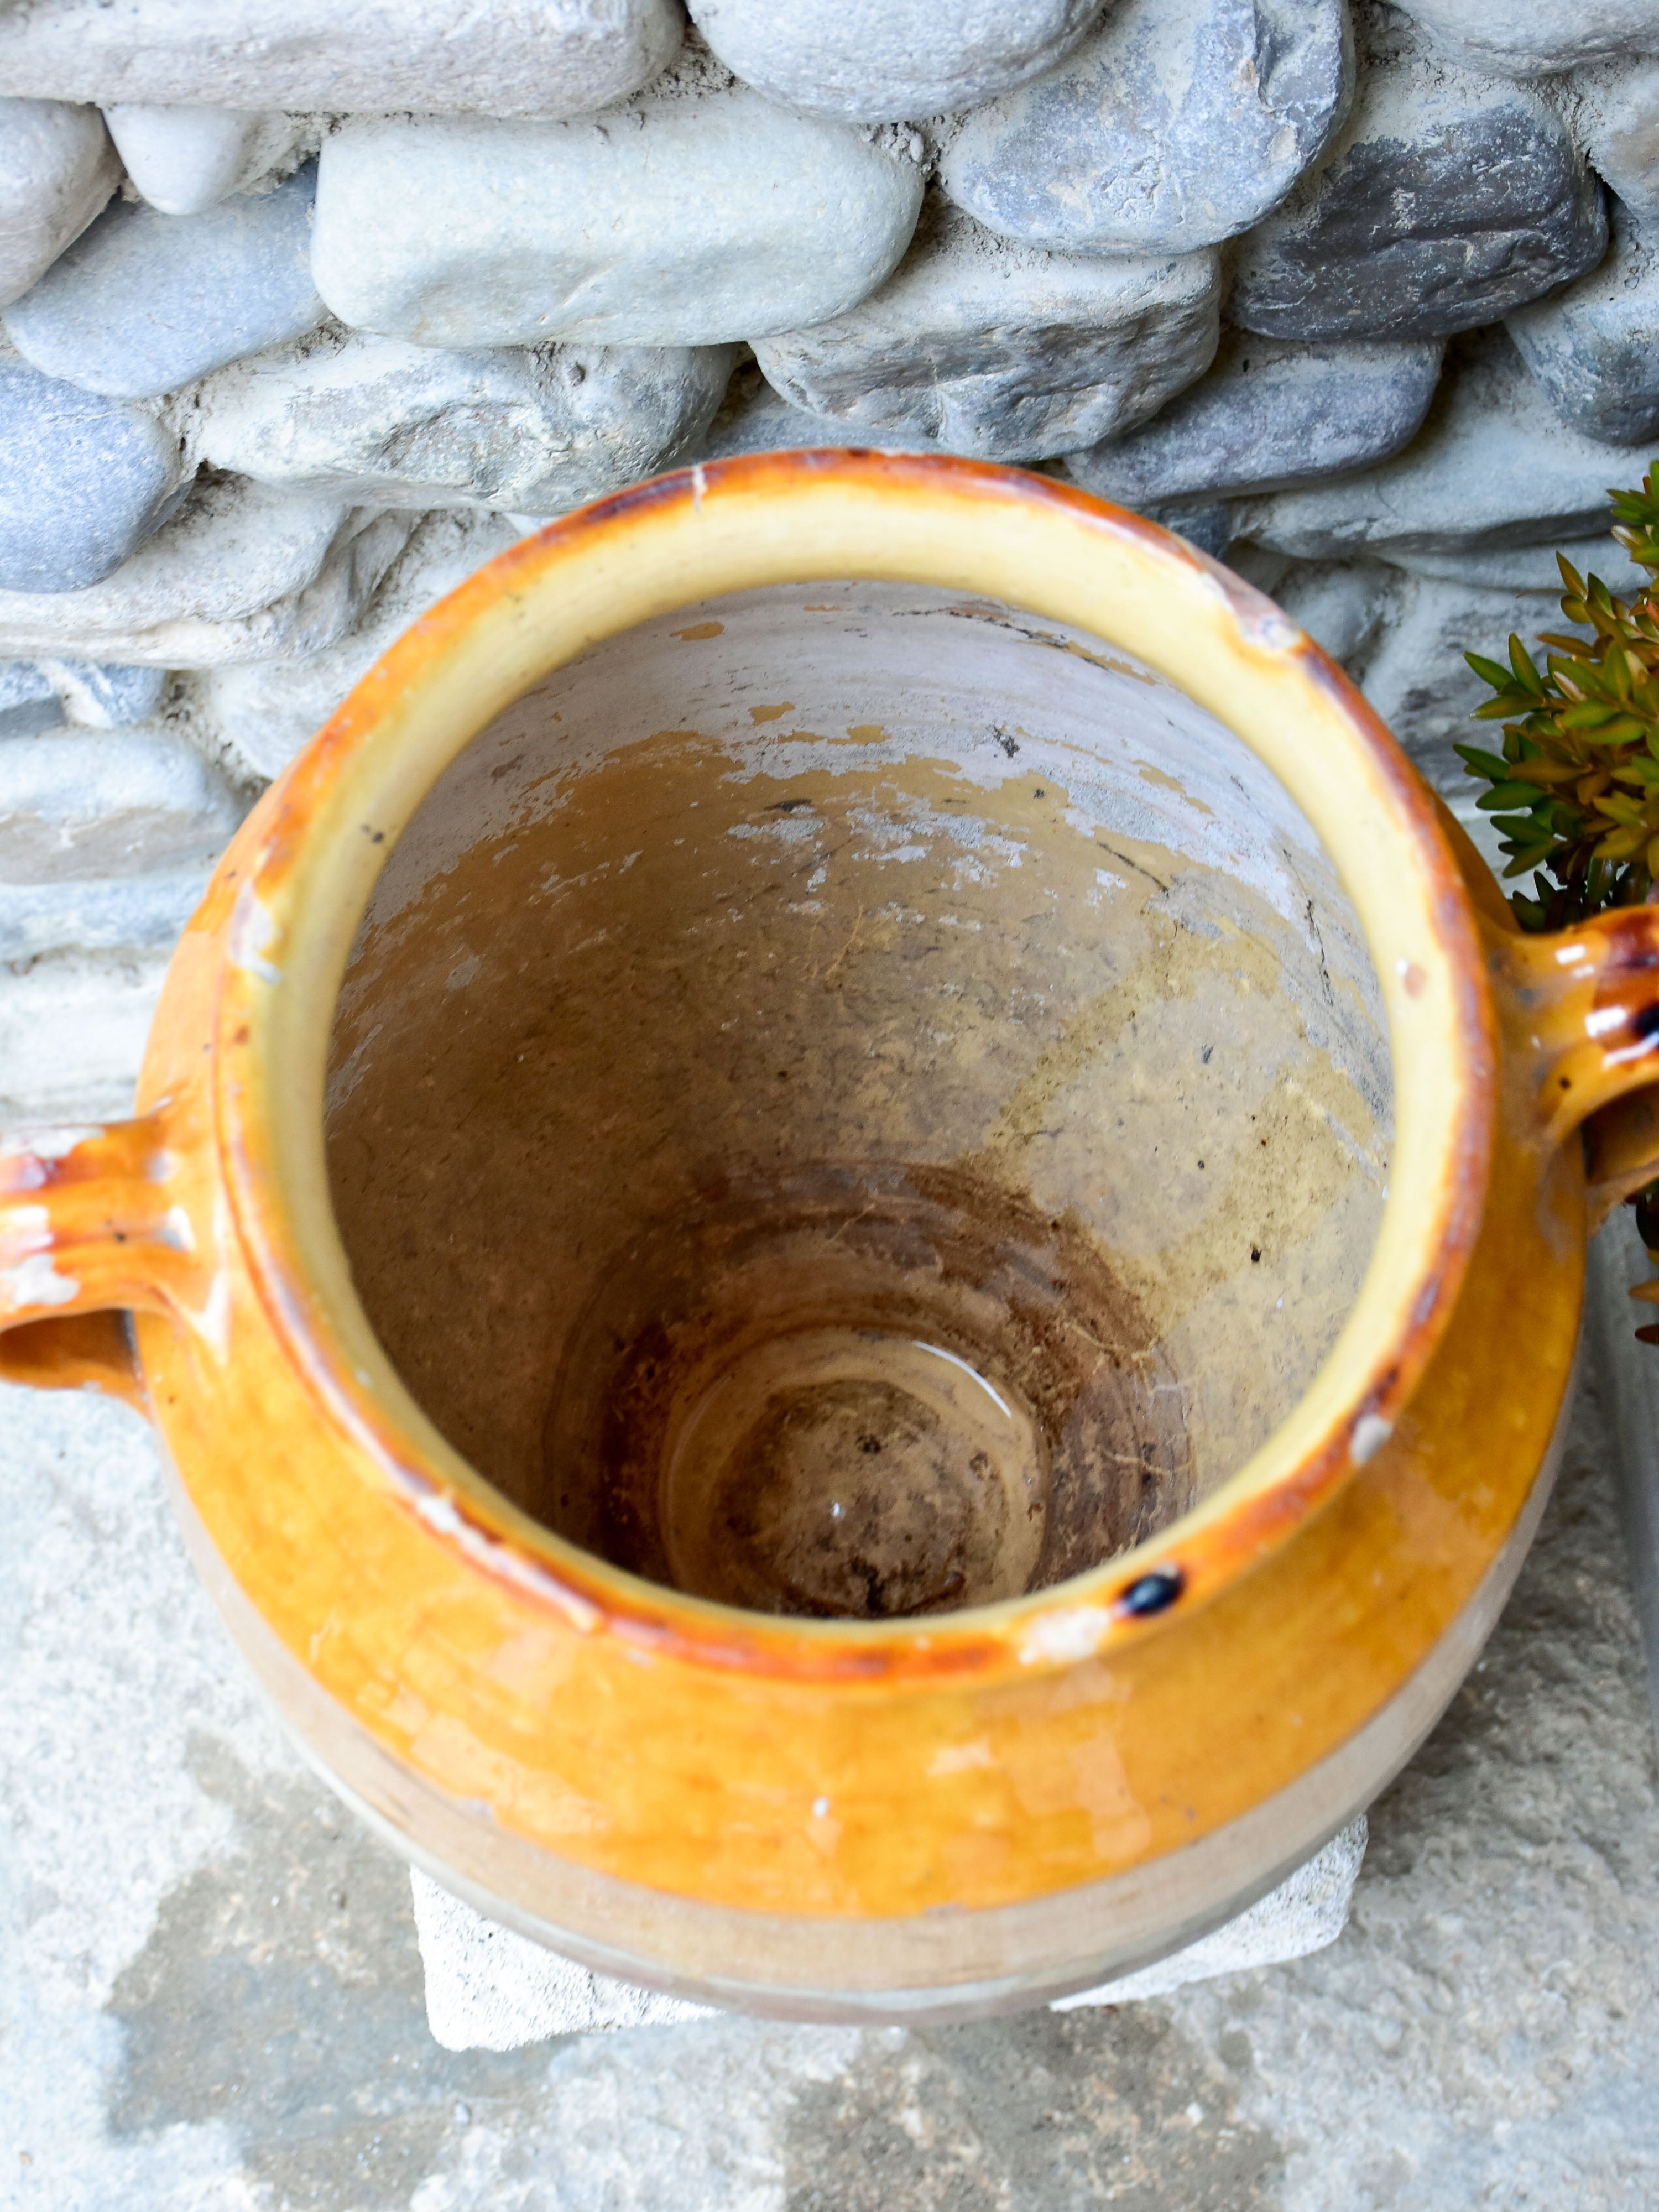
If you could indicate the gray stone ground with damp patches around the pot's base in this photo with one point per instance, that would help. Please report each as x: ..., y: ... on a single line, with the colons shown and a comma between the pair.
x: 211, y: 1990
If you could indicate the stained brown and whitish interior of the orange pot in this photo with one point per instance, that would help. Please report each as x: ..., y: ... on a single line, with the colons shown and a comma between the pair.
x: 857, y: 1103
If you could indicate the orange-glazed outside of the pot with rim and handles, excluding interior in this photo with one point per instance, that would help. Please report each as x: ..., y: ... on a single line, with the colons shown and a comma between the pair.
x: 709, y: 1797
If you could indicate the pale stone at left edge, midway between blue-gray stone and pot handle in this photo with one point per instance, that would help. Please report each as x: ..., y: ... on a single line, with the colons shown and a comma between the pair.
x: 79, y: 808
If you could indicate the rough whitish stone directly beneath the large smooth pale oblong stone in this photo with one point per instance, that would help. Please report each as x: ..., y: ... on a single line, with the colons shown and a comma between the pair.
x: 406, y: 426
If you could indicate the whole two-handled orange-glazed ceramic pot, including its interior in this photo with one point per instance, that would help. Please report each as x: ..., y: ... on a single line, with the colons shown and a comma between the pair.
x: 839, y: 957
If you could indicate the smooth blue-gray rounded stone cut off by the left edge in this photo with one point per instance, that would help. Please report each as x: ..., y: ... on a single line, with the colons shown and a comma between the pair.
x: 83, y: 488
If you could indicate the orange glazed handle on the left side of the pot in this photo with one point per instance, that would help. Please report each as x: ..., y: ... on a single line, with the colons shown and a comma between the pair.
x: 90, y: 1227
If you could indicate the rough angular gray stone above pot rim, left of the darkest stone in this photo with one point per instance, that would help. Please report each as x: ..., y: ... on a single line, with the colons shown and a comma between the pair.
x: 1005, y: 353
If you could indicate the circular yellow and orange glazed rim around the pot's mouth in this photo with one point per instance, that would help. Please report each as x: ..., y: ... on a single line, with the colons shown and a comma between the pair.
x: 793, y: 519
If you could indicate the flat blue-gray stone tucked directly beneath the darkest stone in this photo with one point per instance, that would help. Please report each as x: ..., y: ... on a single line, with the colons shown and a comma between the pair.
x: 1271, y: 415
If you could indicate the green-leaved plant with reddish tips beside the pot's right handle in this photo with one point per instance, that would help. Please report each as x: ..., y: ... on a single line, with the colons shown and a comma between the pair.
x: 1576, y: 789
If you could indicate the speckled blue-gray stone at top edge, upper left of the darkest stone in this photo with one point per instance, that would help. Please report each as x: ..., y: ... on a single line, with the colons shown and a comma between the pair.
x: 1176, y: 125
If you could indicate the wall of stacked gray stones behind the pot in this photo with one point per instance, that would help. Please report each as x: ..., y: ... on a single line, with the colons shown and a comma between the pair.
x: 313, y: 309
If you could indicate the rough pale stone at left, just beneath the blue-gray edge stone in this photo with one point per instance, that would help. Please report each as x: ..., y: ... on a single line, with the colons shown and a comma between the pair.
x: 242, y: 574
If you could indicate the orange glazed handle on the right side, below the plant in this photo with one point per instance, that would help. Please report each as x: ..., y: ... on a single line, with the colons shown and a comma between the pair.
x: 1585, y: 1010
